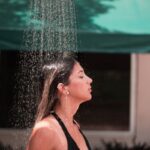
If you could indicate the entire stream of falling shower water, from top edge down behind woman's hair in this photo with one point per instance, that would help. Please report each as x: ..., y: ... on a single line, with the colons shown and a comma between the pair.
x: 52, y: 28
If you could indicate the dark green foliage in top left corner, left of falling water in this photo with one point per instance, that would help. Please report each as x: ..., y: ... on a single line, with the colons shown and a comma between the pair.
x: 14, y: 13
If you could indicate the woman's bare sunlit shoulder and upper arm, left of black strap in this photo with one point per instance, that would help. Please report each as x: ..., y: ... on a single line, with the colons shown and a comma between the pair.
x: 43, y: 136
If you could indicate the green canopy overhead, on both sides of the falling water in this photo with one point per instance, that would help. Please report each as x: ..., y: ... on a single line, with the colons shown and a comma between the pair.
x: 120, y: 26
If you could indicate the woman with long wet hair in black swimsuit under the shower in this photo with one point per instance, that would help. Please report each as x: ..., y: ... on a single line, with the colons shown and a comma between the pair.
x: 65, y: 87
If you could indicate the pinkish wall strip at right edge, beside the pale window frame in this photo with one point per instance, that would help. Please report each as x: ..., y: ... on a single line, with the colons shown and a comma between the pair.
x: 143, y: 98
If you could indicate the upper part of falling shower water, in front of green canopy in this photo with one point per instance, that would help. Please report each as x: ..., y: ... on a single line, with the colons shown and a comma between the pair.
x: 53, y: 26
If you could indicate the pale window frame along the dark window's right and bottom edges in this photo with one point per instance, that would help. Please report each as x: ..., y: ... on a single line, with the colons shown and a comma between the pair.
x: 132, y: 125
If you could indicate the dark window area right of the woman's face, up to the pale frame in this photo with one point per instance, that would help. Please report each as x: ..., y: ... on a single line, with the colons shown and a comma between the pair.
x: 109, y: 108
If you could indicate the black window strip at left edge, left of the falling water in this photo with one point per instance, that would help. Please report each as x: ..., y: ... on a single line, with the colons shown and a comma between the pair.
x: 8, y: 64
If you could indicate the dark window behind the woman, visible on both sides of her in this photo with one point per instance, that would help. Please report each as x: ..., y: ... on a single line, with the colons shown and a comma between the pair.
x: 109, y: 108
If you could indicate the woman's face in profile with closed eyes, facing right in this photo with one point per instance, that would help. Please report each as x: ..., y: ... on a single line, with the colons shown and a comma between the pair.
x: 79, y: 86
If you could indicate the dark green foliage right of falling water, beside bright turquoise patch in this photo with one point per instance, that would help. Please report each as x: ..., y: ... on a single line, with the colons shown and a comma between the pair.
x: 87, y: 10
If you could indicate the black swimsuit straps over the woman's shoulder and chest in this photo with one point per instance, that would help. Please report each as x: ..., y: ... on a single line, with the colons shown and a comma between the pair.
x: 71, y: 143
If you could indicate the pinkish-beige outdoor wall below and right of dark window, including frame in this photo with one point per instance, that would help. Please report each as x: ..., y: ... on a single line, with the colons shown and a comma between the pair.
x: 141, y: 109
